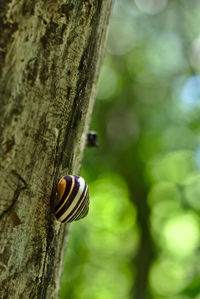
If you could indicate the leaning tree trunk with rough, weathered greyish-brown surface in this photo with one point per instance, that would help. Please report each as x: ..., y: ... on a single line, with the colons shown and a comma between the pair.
x: 50, y: 54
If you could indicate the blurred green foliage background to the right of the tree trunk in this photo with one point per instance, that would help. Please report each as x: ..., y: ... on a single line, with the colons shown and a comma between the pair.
x: 141, y: 238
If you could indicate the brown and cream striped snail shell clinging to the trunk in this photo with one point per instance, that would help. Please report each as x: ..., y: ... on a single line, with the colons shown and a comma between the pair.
x: 73, y: 202
